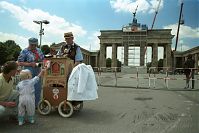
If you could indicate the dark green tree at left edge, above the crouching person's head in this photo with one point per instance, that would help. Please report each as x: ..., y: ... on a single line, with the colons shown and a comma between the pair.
x: 9, y: 50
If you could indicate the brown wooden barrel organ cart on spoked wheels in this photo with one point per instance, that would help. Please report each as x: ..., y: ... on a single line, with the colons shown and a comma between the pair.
x: 55, y: 79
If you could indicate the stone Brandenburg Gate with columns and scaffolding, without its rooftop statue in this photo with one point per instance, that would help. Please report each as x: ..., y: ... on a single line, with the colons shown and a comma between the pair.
x: 139, y: 38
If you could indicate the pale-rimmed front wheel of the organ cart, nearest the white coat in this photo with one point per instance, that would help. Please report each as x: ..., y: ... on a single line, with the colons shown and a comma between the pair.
x: 65, y: 109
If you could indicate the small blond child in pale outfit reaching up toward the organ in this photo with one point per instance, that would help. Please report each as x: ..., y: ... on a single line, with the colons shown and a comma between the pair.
x: 26, y: 95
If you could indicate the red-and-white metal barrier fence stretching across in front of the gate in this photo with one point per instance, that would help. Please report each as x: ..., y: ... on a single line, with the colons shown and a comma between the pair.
x: 167, y: 77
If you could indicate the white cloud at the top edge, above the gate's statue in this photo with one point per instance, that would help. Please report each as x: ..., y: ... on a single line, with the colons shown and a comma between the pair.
x: 144, y: 6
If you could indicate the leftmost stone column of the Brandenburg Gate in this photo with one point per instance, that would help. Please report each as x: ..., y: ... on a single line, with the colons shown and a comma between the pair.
x: 102, y: 55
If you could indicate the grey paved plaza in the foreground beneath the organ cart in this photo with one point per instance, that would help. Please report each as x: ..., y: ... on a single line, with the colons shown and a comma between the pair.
x: 125, y: 109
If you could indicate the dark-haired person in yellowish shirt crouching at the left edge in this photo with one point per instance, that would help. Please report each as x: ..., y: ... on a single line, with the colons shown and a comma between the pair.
x: 8, y: 95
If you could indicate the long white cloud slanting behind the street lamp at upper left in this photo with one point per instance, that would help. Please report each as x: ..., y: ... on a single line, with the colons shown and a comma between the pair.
x: 53, y: 31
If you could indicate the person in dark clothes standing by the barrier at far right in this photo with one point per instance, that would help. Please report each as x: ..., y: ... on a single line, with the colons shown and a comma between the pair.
x: 189, y: 71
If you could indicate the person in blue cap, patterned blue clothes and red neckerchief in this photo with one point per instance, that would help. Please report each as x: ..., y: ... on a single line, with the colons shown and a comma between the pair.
x: 29, y: 58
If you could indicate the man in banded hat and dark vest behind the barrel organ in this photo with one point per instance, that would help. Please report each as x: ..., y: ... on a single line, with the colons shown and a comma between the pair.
x: 70, y: 48
